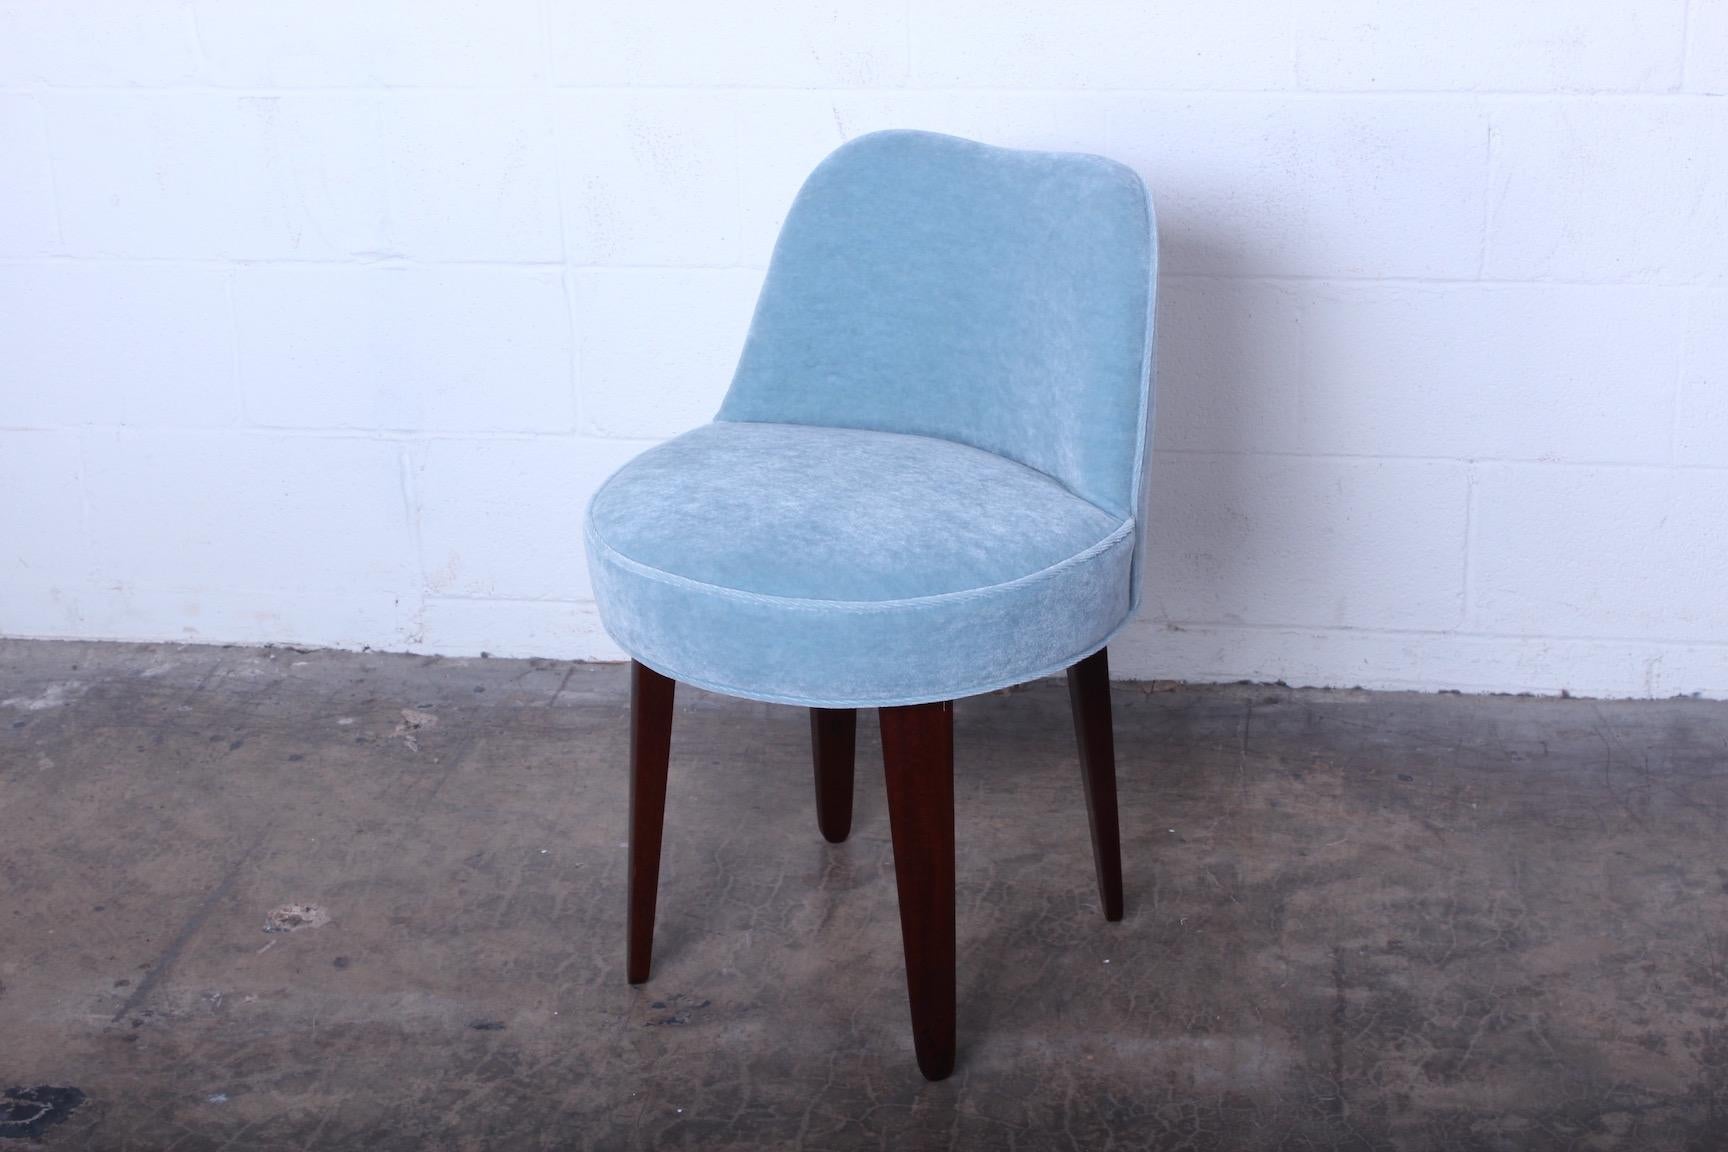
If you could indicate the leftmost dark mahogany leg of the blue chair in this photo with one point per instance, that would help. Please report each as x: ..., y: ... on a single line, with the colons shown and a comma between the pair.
x: 651, y: 750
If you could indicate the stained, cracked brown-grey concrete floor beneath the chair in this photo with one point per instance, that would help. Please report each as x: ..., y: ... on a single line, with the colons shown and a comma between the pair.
x: 1356, y: 920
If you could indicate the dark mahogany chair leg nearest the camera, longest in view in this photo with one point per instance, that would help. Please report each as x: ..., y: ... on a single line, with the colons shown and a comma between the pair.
x: 918, y: 761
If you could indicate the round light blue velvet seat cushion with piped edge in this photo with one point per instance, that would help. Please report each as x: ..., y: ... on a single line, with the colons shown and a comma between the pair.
x: 844, y: 567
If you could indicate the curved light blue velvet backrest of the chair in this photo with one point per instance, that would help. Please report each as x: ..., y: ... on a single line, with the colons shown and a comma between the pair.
x: 941, y: 288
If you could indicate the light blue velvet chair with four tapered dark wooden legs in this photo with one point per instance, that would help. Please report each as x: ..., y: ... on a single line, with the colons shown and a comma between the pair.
x: 927, y: 481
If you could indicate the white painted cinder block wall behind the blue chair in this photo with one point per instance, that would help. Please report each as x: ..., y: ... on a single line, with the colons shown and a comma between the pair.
x: 322, y: 319
